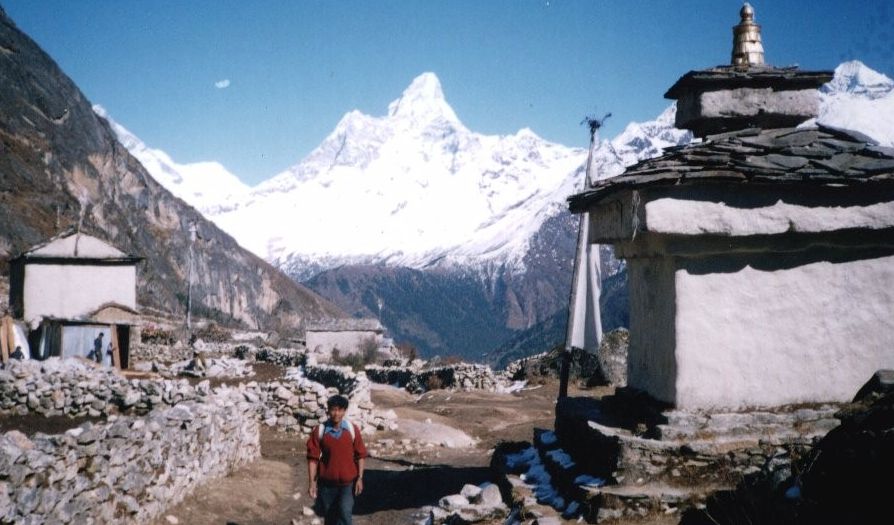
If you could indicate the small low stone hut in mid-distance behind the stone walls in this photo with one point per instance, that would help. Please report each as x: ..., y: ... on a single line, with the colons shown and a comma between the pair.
x: 347, y: 336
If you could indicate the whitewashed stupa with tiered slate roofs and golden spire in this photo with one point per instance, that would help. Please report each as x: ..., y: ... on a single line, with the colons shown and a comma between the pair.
x: 760, y: 258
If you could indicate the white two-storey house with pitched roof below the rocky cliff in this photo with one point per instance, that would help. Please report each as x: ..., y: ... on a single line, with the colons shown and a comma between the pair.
x: 77, y: 294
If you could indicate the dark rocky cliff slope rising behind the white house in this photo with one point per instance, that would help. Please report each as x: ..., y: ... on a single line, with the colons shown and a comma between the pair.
x: 61, y: 163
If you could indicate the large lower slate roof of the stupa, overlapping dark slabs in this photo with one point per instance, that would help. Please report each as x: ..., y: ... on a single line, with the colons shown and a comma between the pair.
x: 817, y: 156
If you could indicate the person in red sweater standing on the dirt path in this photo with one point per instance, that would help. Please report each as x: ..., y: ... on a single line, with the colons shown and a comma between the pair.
x: 335, y: 460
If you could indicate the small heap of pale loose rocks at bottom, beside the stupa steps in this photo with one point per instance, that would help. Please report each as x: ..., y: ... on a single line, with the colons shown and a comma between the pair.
x: 474, y: 504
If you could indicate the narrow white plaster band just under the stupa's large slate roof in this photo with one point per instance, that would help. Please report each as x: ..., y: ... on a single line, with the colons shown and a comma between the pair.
x: 692, y: 217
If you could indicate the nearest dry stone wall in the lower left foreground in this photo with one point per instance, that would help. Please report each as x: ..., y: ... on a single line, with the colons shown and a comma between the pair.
x: 126, y: 469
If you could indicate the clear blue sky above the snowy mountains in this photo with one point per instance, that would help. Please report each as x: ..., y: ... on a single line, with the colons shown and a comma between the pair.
x: 293, y: 68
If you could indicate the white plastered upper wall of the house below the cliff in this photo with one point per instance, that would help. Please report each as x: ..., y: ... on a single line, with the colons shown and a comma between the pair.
x: 73, y: 291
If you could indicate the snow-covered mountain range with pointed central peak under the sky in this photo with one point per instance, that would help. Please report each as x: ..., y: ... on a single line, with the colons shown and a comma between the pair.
x: 415, y: 188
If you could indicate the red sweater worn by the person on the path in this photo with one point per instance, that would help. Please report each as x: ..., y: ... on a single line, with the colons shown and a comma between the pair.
x: 337, y: 457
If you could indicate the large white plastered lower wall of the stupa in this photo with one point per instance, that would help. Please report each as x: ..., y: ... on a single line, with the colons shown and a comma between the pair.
x: 812, y: 333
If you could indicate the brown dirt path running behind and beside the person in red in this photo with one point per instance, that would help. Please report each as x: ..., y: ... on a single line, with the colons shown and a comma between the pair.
x: 400, y: 478
